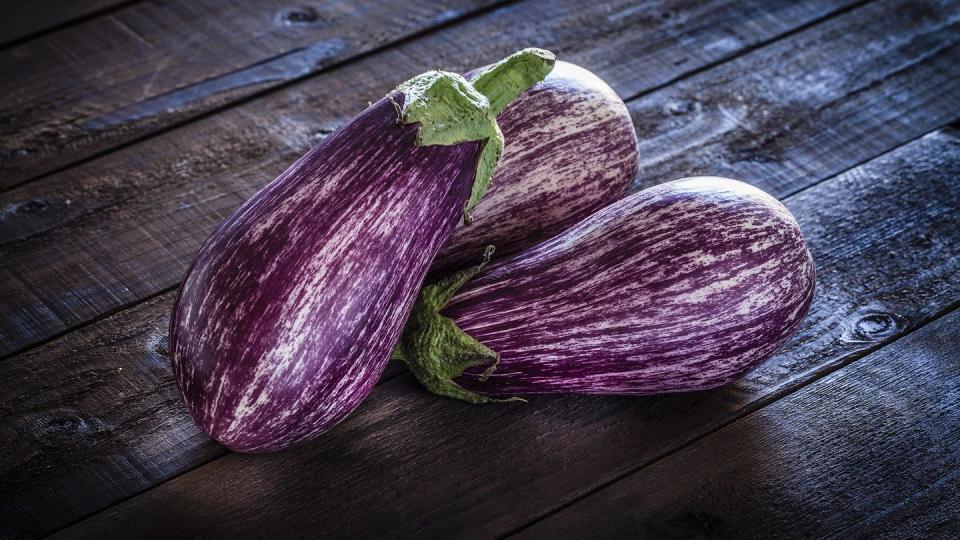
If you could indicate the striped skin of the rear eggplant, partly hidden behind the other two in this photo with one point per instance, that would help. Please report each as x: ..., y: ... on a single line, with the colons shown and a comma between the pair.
x: 571, y: 149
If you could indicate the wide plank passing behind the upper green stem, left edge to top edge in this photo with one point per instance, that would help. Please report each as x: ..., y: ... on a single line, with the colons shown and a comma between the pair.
x: 125, y: 226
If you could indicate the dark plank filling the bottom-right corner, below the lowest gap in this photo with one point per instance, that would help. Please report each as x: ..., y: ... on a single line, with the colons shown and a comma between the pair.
x: 878, y: 437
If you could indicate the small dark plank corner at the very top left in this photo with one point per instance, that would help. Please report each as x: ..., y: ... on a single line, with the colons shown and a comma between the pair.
x: 22, y: 19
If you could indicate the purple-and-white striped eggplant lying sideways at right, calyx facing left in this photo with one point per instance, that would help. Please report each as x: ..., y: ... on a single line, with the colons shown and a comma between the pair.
x: 679, y: 287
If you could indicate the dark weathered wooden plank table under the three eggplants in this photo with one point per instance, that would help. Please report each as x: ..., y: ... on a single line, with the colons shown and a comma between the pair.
x: 129, y: 129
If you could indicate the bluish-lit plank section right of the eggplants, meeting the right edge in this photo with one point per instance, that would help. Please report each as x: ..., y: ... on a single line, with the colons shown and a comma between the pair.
x: 804, y: 108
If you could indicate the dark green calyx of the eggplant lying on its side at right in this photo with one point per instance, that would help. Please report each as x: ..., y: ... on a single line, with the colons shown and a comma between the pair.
x: 436, y: 350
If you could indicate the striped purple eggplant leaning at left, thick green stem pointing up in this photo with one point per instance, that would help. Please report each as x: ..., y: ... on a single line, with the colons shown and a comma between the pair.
x: 289, y: 312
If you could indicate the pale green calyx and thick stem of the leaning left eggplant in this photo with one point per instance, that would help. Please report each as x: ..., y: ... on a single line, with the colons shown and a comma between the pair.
x: 451, y: 110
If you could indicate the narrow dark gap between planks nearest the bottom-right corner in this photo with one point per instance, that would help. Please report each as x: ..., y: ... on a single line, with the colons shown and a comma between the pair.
x: 816, y: 374
